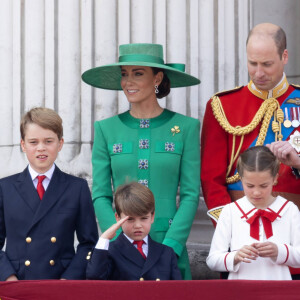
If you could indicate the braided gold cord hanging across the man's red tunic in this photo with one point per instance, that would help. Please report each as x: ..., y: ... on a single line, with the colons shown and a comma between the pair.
x: 267, y: 109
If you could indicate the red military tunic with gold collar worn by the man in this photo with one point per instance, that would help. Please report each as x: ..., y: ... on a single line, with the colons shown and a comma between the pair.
x: 240, y: 106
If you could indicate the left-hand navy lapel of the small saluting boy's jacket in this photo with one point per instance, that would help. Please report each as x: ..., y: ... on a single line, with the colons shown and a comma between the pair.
x: 129, y: 251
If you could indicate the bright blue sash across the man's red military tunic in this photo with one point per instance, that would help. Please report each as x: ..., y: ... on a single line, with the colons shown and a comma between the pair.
x: 270, y: 137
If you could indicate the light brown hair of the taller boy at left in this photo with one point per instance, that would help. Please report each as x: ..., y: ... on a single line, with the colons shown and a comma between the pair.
x: 45, y: 117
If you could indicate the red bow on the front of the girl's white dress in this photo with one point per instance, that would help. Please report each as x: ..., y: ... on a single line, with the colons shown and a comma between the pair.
x: 267, y: 219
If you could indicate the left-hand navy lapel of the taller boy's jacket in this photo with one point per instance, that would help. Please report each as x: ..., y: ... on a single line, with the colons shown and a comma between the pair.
x: 27, y: 191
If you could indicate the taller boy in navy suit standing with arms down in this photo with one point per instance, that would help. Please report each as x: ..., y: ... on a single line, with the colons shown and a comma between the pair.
x: 42, y: 207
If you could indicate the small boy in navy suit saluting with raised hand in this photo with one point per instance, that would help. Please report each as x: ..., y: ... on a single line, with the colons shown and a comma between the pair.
x: 133, y: 255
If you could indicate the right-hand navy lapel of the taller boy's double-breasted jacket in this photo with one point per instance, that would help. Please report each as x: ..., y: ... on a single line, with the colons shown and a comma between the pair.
x: 57, y: 186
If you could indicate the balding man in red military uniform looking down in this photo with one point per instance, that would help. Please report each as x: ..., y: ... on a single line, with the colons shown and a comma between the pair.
x: 265, y: 111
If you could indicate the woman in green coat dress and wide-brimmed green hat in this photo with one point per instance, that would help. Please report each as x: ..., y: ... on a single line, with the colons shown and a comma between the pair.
x: 154, y: 146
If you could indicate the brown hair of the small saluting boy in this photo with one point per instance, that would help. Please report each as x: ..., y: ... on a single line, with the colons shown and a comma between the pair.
x: 134, y: 199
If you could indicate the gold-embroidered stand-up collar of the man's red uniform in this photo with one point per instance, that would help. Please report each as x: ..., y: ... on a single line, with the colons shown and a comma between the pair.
x: 278, y: 91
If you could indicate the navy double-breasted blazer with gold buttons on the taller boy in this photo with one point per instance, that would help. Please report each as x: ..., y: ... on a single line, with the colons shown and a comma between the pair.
x: 40, y: 233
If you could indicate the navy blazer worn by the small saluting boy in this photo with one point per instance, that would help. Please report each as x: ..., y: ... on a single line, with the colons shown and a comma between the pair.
x: 122, y: 261
